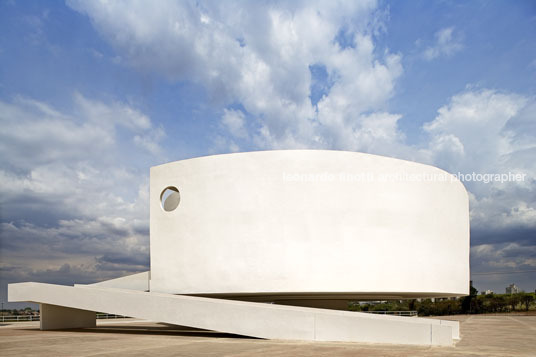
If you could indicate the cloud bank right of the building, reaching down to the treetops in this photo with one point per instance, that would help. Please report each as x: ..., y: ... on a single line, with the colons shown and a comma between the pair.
x: 489, y: 132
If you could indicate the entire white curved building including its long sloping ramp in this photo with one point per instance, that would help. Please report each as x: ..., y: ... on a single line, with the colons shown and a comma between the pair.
x: 308, y: 228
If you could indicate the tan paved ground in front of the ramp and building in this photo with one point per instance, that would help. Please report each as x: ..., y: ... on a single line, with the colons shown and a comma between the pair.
x: 482, y: 335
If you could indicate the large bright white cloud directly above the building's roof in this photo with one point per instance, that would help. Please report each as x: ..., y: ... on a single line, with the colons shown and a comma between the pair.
x: 260, y: 56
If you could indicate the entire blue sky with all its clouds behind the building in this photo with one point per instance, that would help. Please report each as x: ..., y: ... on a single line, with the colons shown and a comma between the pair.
x: 92, y: 94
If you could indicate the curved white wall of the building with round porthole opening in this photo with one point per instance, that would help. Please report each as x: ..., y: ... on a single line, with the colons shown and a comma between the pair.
x: 309, y: 223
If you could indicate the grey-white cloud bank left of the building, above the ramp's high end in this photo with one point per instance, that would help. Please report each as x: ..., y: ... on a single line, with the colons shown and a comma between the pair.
x: 73, y: 199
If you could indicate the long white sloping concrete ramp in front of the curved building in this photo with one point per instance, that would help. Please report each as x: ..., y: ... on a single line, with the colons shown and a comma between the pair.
x: 243, y: 318
